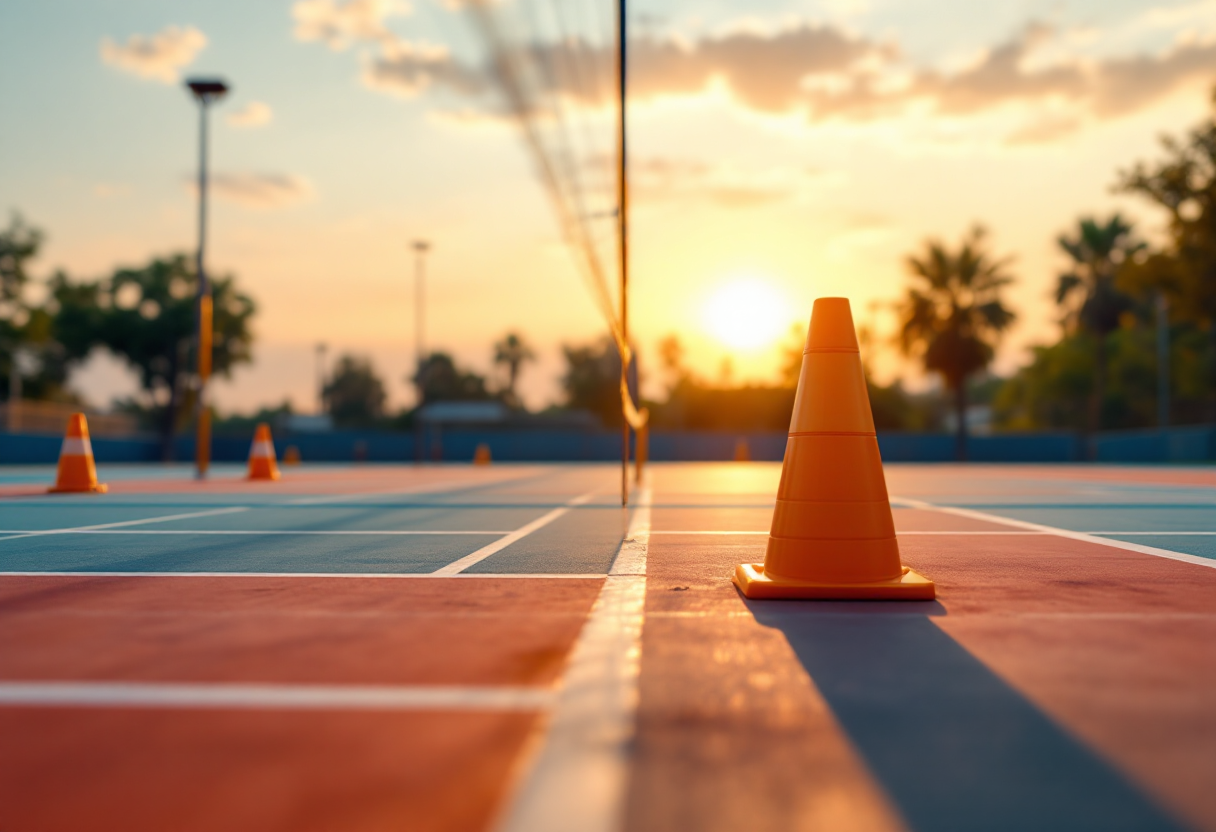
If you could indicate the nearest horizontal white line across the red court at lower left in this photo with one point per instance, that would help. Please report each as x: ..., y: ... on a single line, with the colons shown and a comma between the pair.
x: 273, y: 698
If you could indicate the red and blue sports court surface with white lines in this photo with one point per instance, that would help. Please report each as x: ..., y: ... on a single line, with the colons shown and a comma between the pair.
x: 505, y: 648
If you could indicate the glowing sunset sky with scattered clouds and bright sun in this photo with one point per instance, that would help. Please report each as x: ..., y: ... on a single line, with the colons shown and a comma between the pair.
x: 781, y: 150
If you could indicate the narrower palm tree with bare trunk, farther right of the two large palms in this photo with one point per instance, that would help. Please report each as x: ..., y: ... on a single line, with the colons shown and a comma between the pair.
x: 1099, y: 252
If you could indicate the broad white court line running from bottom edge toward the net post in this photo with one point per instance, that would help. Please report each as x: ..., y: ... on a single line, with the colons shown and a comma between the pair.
x: 581, y: 774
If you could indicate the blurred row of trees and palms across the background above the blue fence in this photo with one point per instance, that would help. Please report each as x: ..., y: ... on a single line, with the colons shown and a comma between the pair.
x: 1127, y: 311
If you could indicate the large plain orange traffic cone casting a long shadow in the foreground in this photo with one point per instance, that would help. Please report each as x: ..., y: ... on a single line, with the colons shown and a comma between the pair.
x: 832, y: 531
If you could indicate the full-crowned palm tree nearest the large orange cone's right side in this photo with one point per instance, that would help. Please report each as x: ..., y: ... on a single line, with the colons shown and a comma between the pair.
x: 953, y: 314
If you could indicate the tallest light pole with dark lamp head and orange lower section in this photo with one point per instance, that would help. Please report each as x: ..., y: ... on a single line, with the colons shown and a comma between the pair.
x: 206, y: 92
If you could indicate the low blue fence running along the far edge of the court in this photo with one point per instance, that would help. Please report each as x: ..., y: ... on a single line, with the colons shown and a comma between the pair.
x: 1183, y: 445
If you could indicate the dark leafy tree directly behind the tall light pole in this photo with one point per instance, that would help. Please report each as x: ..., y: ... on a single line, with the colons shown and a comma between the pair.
x: 148, y: 317
